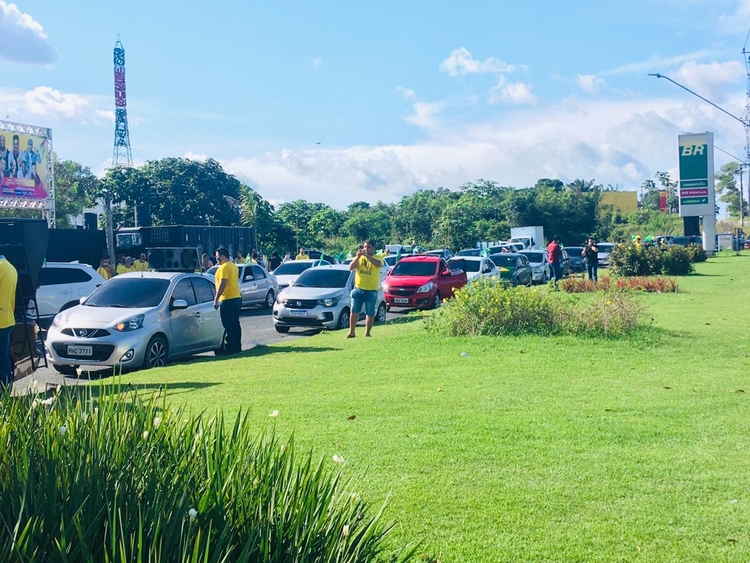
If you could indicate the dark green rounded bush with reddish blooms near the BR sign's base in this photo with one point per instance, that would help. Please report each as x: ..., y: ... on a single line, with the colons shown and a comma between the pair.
x: 631, y: 260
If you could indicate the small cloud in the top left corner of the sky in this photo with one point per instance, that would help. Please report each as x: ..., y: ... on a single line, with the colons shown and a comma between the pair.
x: 23, y: 38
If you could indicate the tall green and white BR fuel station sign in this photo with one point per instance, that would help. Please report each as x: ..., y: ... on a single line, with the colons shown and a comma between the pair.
x: 696, y: 190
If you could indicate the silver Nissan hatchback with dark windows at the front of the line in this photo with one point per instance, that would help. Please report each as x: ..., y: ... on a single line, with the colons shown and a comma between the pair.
x: 140, y: 319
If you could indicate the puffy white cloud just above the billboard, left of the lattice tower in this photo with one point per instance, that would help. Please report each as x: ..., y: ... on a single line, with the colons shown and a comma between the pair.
x: 49, y: 103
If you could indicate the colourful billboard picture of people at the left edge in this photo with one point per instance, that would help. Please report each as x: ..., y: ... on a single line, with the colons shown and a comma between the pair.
x: 23, y: 165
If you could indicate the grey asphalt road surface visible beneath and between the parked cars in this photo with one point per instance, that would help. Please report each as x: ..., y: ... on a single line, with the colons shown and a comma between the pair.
x: 257, y: 329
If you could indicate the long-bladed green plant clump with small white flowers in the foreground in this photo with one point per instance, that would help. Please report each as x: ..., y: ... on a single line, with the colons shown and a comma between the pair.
x: 115, y: 478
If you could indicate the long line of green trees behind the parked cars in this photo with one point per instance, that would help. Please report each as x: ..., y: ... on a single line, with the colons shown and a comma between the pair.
x: 189, y: 192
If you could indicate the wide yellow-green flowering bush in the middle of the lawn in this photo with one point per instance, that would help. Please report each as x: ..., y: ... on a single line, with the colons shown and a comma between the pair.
x: 492, y: 309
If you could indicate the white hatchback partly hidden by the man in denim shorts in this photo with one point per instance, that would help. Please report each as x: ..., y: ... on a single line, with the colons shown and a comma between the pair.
x: 320, y: 298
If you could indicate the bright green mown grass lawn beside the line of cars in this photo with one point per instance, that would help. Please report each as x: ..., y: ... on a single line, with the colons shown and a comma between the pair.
x: 530, y: 448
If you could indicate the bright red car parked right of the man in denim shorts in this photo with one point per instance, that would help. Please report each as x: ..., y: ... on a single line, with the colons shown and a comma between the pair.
x: 421, y: 281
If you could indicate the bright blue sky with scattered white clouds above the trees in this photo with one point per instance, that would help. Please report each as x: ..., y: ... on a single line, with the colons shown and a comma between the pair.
x: 338, y: 101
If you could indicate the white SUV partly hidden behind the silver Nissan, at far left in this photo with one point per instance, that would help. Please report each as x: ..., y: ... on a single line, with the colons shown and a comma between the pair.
x: 61, y: 286
